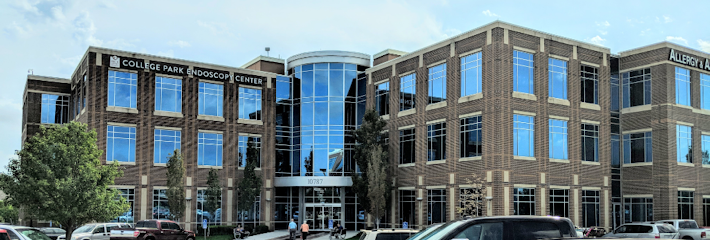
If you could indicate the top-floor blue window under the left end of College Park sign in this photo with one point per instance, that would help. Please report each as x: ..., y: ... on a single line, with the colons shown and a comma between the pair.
x: 122, y: 89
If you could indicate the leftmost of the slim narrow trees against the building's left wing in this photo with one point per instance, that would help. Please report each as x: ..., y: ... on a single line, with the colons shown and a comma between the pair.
x: 176, y: 187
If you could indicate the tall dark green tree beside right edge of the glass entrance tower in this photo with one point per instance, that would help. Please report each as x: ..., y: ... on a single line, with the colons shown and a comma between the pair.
x: 367, y: 136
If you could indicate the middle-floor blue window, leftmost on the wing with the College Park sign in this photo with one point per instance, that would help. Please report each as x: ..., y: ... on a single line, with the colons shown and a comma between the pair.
x: 121, y: 144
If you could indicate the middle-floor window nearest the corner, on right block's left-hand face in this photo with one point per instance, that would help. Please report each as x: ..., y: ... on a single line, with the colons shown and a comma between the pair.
x: 471, y: 137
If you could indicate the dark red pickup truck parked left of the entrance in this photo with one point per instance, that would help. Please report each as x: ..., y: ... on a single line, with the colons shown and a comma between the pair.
x: 152, y: 230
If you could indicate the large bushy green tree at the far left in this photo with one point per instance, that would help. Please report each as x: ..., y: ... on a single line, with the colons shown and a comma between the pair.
x: 59, y: 176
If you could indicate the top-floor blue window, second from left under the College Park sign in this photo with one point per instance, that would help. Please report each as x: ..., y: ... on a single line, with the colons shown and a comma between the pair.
x: 168, y: 94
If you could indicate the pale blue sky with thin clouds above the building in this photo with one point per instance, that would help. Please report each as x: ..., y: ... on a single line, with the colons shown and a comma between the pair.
x: 51, y: 36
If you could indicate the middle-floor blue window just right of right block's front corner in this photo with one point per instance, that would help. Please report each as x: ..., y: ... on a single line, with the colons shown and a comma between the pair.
x: 524, y: 135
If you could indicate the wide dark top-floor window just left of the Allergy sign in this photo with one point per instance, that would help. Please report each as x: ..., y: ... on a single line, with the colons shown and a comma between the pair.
x: 636, y: 87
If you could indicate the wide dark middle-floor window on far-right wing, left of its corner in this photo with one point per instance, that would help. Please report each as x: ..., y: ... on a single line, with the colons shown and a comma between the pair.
x: 638, y: 147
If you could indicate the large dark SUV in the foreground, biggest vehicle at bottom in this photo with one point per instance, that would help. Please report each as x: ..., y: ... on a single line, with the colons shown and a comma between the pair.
x: 499, y: 228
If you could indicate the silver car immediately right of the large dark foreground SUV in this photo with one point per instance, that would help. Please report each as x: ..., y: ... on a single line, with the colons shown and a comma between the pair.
x: 644, y: 230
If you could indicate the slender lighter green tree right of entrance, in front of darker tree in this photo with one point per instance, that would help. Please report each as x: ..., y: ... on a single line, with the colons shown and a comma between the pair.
x: 377, y: 179
